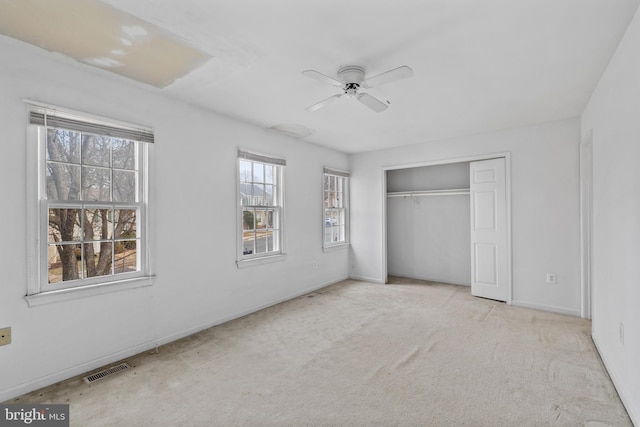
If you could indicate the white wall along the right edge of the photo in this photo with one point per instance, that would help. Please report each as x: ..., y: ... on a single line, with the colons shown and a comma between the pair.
x: 612, y: 115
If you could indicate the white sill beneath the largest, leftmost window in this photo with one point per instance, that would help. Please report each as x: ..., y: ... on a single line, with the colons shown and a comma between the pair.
x: 86, y: 291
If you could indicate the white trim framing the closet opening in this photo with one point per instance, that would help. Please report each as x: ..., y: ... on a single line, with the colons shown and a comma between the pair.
x: 488, y: 156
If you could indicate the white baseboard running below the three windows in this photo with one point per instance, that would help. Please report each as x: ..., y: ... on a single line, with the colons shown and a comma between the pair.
x: 132, y: 351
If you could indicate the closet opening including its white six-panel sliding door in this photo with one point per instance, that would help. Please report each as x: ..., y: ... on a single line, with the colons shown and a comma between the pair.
x: 449, y: 222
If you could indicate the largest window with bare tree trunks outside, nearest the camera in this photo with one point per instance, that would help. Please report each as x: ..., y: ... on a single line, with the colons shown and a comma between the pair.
x: 92, y: 200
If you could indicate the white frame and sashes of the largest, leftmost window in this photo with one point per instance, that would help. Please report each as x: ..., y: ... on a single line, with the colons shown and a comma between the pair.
x: 39, y: 290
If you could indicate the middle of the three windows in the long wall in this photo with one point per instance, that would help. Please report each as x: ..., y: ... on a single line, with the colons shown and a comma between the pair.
x: 261, y: 200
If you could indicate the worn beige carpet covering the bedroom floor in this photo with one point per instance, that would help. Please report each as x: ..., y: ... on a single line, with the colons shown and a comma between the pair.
x: 359, y: 354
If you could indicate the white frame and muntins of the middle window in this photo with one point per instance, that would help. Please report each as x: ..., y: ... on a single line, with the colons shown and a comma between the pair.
x: 277, y: 207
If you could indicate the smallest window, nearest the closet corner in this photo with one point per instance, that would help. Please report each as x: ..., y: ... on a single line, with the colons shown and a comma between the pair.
x: 336, y: 203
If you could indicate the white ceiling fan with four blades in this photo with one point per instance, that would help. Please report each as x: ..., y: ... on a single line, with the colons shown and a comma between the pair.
x: 351, y: 78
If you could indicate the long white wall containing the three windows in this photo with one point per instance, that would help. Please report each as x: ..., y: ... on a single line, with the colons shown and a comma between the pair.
x: 193, y: 209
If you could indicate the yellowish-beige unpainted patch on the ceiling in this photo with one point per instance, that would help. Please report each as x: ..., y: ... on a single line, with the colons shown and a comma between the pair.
x: 96, y: 34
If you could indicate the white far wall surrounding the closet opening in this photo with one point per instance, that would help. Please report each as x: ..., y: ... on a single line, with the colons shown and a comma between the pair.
x: 544, y: 207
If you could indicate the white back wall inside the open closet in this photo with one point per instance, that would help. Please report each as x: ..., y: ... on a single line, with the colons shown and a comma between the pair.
x: 428, y: 238
